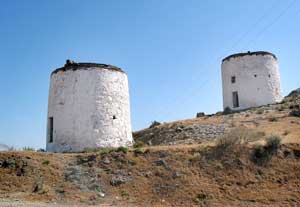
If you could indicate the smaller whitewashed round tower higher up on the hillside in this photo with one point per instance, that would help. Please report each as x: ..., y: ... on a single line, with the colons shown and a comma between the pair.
x: 250, y: 80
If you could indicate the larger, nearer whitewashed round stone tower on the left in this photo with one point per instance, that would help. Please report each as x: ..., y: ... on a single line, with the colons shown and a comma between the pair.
x: 88, y: 108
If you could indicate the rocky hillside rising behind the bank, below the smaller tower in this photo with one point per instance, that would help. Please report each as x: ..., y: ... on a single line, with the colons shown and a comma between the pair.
x: 281, y: 119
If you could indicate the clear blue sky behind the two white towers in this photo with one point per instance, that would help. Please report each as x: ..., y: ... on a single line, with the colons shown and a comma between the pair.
x: 170, y: 49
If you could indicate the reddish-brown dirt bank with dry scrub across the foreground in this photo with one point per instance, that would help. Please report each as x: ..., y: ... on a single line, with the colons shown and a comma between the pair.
x: 174, y: 176
